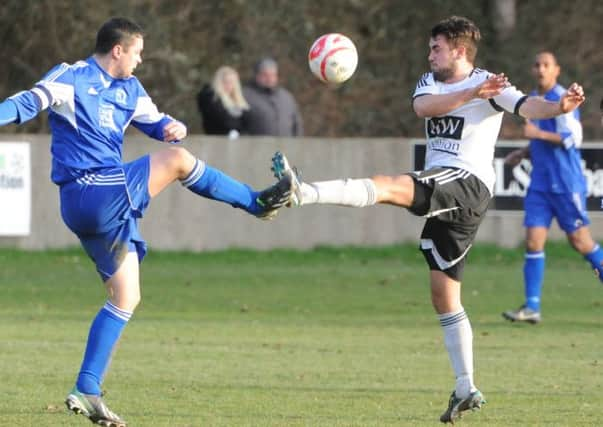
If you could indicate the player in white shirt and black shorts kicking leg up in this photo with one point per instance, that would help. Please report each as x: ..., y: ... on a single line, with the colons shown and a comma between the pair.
x: 462, y: 106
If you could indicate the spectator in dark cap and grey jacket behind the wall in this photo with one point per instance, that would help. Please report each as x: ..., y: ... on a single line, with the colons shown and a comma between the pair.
x: 273, y: 110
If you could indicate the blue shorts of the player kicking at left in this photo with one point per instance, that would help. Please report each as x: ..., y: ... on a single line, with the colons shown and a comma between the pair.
x: 102, y: 208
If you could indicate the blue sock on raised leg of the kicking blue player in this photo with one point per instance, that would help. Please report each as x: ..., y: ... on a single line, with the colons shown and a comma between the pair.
x: 214, y: 184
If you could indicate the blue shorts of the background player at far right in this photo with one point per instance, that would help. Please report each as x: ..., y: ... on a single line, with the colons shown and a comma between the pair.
x: 568, y: 208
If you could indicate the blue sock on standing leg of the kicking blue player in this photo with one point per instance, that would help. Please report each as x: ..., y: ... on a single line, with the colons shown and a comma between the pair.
x: 104, y: 334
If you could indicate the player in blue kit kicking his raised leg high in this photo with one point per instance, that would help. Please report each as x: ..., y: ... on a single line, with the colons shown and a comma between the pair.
x: 91, y: 103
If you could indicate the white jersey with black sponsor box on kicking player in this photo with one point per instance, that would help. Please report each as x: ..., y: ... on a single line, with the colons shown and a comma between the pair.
x: 465, y: 137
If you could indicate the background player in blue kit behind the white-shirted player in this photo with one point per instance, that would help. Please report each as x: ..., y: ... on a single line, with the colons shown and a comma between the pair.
x: 557, y: 188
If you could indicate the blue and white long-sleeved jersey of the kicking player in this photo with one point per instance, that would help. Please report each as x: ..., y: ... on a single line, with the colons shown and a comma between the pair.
x: 89, y: 112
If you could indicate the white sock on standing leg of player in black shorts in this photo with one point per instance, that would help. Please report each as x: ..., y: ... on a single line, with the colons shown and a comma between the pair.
x: 458, y: 338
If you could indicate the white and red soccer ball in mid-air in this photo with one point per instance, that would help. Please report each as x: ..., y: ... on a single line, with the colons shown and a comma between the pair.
x: 333, y: 58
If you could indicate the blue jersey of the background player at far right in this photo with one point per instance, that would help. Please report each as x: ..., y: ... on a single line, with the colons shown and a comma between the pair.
x: 558, y: 167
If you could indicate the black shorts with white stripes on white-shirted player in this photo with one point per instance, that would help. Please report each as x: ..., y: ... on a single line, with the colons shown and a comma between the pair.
x: 454, y: 202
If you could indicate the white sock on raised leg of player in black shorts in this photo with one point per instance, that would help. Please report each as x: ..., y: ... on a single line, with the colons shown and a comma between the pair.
x: 349, y: 192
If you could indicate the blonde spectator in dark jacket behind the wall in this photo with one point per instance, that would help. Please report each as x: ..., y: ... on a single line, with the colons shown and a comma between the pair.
x: 222, y: 104
